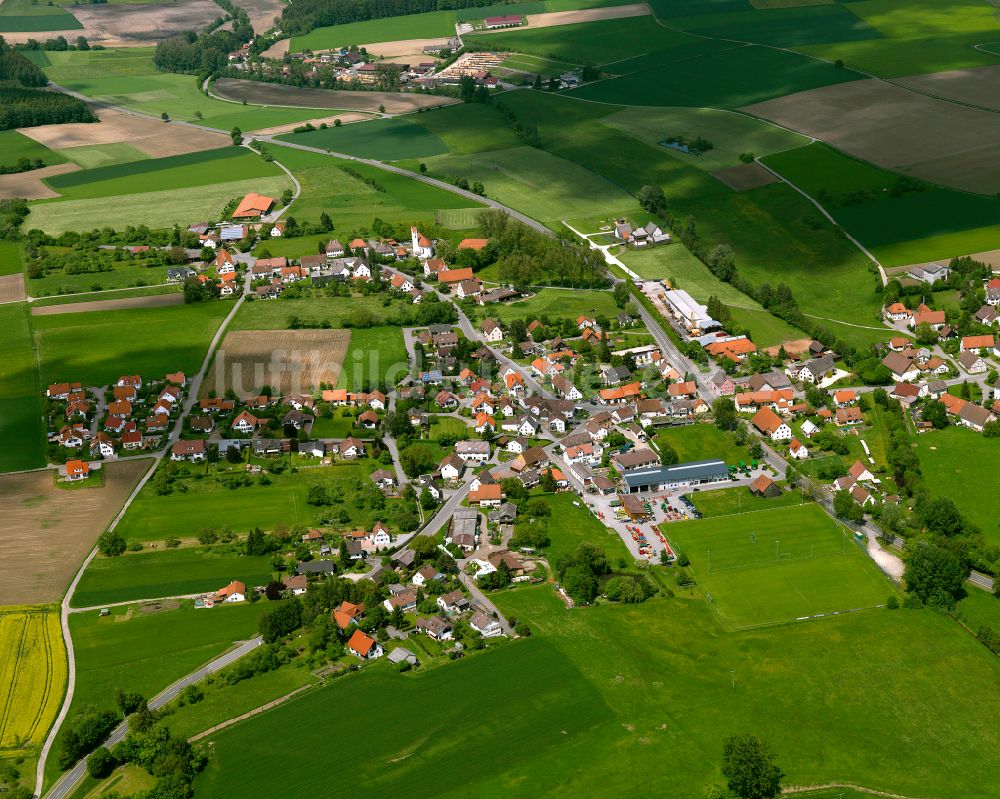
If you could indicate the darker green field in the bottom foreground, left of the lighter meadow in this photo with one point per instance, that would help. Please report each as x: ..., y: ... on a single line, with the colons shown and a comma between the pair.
x: 384, y: 760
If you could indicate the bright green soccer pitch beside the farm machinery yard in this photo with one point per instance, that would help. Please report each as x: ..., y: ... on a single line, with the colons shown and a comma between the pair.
x: 779, y: 565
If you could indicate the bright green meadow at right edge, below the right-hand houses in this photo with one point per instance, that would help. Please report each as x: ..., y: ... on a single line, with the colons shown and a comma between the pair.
x: 951, y: 461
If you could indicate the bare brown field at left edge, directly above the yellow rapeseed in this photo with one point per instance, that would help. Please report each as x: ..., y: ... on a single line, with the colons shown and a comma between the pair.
x: 39, y: 517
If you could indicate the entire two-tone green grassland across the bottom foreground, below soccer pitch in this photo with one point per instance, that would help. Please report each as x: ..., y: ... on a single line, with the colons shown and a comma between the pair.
x: 598, y: 717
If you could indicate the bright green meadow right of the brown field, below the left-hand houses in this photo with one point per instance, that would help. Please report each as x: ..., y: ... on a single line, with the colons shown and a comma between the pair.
x: 206, y: 503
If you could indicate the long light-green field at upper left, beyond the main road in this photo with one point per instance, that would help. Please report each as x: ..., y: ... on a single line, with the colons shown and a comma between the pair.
x: 128, y: 78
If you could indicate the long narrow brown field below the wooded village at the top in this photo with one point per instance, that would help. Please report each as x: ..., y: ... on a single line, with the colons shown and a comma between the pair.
x: 275, y: 94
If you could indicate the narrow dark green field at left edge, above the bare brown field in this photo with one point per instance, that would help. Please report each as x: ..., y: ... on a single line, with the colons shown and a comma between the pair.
x: 21, y: 431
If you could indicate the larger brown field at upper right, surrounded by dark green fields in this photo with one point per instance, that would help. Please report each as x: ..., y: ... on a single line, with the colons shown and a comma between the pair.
x: 888, y: 125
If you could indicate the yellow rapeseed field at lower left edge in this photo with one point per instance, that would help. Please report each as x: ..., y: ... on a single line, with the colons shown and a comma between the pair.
x: 32, y: 675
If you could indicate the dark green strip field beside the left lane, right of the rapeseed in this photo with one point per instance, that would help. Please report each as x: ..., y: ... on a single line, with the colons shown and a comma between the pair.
x: 166, y: 572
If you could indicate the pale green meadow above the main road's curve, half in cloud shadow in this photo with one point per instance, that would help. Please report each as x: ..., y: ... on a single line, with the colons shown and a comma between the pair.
x: 536, y: 182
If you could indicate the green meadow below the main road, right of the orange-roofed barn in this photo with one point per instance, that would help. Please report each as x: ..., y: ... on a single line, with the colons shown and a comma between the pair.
x: 353, y: 204
